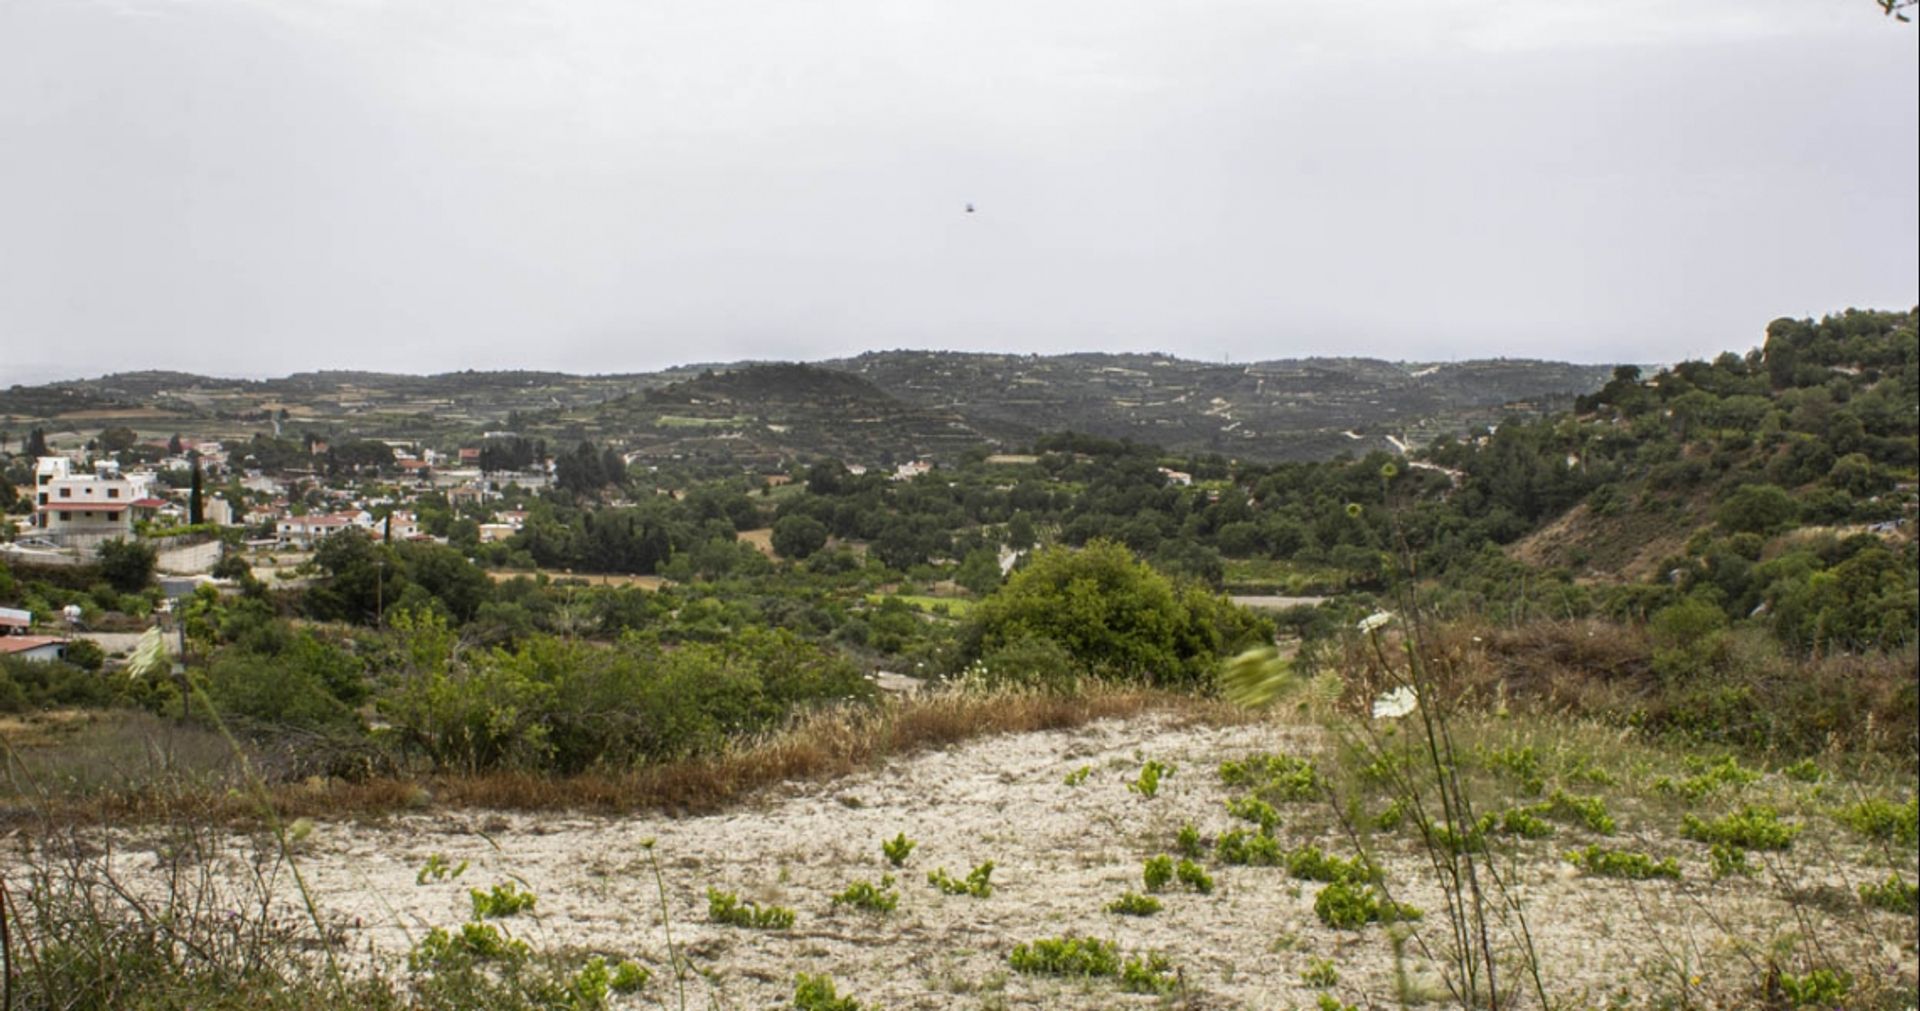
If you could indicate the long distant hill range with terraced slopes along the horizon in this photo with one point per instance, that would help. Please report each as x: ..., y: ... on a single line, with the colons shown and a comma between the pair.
x: 869, y: 410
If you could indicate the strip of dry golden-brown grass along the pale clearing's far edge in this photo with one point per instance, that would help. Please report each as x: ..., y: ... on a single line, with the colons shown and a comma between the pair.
x: 817, y: 747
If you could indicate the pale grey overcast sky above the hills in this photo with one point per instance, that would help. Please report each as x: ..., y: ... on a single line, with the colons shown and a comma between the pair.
x: 256, y: 187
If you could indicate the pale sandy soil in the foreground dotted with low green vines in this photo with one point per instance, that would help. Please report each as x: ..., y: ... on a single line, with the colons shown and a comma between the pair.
x: 1061, y: 855
